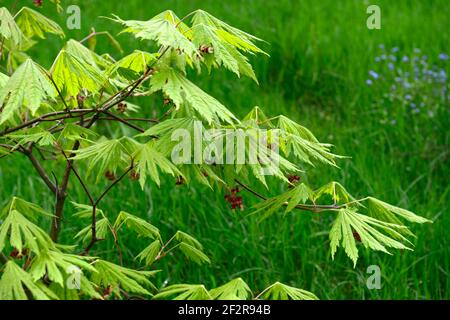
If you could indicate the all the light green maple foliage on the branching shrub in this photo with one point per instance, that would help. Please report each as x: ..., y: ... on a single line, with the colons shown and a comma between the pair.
x: 62, y: 109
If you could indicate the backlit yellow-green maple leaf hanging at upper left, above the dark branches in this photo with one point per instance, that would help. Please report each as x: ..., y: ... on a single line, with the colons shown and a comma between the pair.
x: 72, y: 75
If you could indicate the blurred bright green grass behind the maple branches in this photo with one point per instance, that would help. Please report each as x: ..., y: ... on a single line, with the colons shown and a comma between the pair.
x: 320, y: 54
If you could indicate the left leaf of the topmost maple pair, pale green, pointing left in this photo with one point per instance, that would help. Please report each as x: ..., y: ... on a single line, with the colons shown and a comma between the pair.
x: 166, y: 29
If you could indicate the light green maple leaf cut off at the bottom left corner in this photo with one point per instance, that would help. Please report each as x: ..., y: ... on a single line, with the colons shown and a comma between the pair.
x: 14, y: 281
